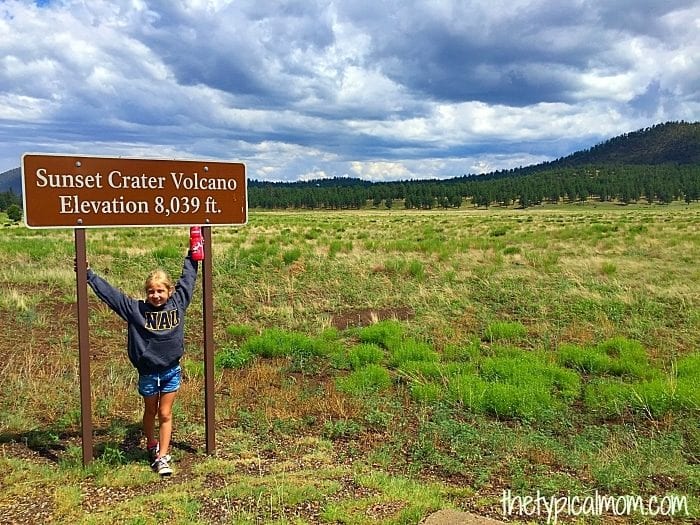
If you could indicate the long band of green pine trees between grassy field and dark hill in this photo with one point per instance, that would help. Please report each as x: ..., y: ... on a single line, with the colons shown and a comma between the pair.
x: 625, y: 183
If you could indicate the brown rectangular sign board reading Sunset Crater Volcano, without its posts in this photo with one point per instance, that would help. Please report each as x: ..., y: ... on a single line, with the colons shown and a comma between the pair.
x: 77, y: 191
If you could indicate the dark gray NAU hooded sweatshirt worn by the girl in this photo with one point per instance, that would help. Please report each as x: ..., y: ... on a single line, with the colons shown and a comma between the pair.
x: 156, y: 336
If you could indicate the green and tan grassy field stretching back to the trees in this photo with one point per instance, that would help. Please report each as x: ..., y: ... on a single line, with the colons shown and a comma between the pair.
x: 371, y: 366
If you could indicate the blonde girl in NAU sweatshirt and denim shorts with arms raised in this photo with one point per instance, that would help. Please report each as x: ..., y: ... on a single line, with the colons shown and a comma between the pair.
x: 155, y: 344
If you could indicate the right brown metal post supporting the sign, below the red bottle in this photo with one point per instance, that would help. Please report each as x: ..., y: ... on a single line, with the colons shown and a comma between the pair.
x: 208, y: 320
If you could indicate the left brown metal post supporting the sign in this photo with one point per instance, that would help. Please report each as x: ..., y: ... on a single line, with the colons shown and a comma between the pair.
x: 83, y: 344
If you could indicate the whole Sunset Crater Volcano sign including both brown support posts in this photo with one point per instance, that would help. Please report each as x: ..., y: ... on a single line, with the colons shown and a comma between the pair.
x: 74, y: 191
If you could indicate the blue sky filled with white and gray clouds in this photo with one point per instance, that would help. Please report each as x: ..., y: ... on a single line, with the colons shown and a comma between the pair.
x: 376, y: 89
